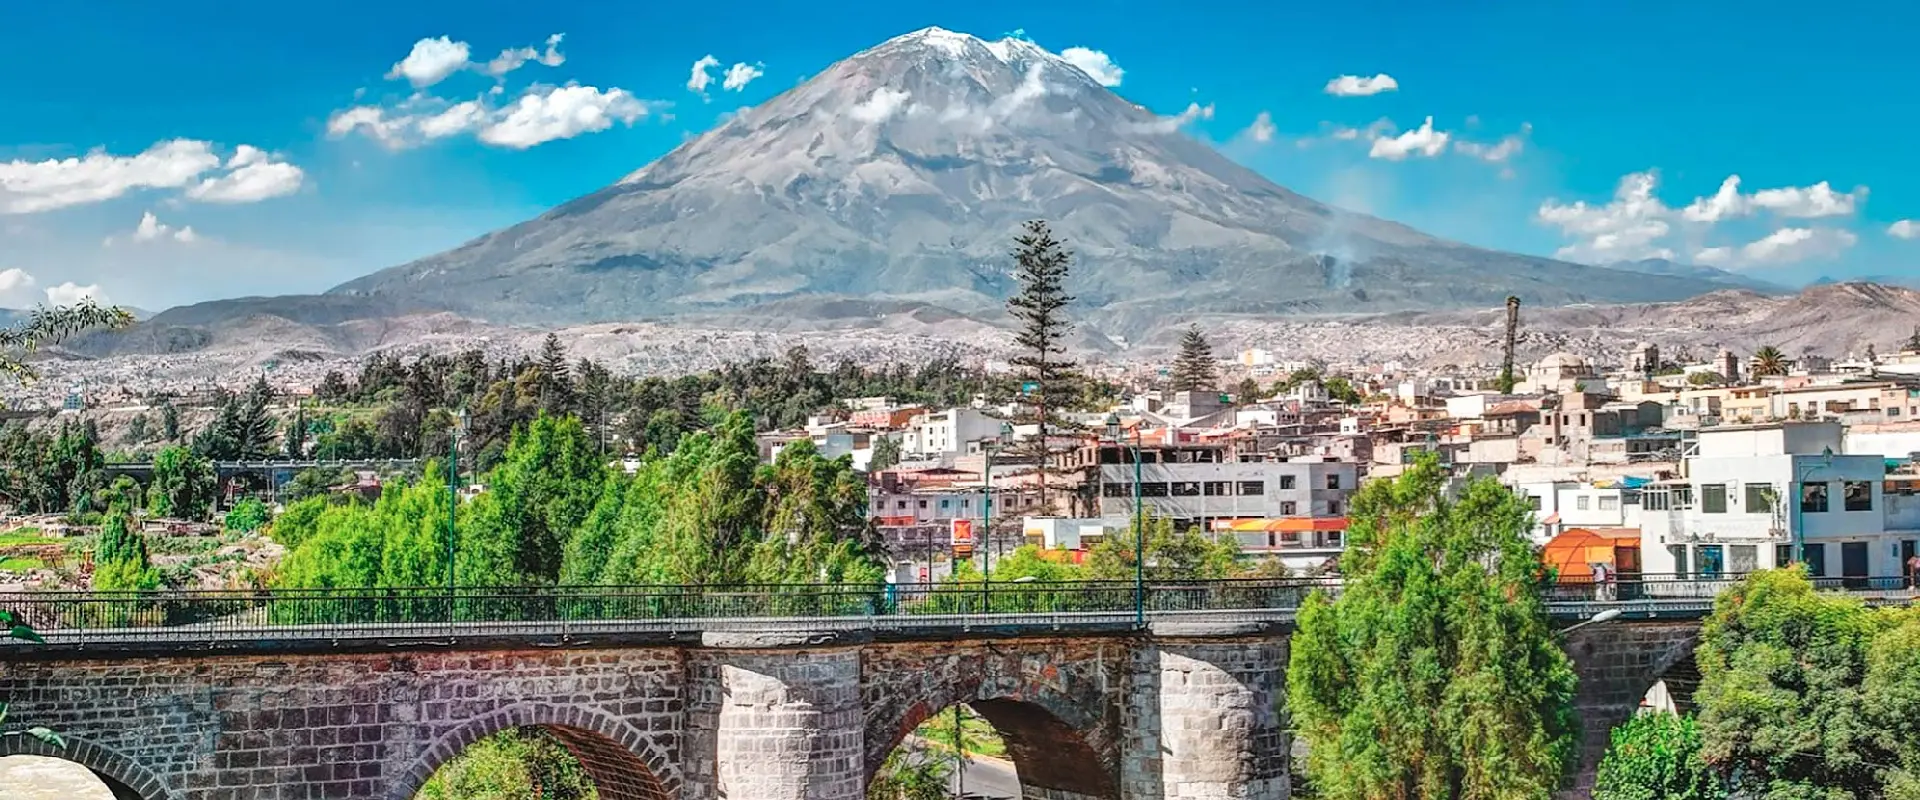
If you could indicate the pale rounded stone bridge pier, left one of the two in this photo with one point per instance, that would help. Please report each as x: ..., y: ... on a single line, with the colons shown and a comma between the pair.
x: 775, y: 726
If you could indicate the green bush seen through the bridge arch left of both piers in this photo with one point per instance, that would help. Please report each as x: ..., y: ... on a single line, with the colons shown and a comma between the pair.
x: 519, y: 765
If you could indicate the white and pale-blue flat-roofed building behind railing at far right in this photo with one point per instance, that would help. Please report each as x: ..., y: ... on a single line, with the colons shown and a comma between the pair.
x: 1752, y: 492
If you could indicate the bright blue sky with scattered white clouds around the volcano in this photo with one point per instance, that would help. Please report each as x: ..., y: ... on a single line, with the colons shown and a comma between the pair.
x: 1656, y: 97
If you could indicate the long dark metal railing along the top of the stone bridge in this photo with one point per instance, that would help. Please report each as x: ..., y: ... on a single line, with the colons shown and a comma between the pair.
x: 468, y: 613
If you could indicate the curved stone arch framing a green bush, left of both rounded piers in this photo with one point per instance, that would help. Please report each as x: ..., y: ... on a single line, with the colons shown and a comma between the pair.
x: 623, y: 763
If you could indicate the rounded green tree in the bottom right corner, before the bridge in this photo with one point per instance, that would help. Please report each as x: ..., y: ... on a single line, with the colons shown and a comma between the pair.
x: 1810, y: 695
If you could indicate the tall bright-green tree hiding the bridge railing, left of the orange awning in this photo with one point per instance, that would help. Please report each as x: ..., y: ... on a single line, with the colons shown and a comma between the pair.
x: 1439, y: 613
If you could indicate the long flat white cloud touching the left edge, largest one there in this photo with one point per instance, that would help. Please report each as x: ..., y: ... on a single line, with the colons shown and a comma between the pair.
x: 28, y: 187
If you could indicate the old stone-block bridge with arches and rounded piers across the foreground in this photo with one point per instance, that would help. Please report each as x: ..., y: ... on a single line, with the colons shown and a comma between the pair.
x: 1168, y: 713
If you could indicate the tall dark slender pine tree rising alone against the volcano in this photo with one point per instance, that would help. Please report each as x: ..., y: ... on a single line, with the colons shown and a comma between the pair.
x: 1047, y: 375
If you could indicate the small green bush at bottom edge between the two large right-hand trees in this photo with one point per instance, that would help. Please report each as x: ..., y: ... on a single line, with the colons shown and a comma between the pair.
x: 1656, y: 757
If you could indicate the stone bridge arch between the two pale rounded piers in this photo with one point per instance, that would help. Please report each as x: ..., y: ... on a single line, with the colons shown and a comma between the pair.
x: 1051, y: 713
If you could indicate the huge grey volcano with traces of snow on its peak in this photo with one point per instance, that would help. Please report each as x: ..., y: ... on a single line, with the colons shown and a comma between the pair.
x: 901, y: 174
